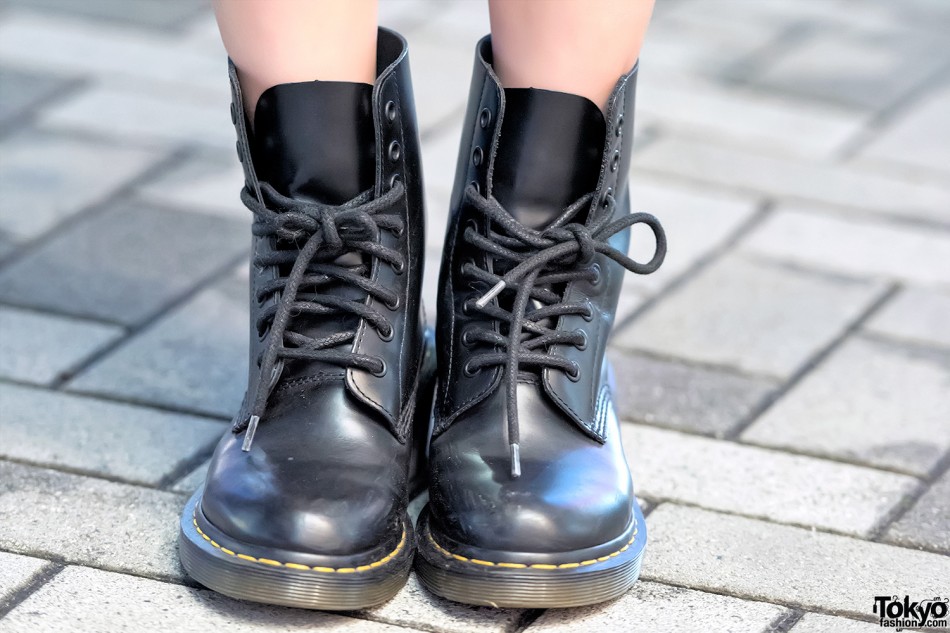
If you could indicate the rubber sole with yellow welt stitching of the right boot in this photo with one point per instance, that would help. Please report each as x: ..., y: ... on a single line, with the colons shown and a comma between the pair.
x: 490, y: 580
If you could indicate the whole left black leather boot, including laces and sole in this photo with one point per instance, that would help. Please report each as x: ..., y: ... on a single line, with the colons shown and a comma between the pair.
x: 305, y: 500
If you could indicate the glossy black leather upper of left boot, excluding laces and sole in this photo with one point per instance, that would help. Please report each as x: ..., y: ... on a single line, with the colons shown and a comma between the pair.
x: 329, y: 468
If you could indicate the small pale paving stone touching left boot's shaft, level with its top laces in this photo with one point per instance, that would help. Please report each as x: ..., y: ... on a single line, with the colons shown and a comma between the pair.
x: 209, y: 182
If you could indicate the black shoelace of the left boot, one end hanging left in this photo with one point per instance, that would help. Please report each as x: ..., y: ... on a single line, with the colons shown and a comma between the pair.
x: 327, y: 232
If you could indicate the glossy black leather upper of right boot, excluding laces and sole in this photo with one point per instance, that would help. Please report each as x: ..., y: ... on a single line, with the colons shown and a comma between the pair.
x: 575, y: 490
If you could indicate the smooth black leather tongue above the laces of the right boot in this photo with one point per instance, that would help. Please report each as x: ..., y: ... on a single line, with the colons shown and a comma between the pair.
x: 549, y: 153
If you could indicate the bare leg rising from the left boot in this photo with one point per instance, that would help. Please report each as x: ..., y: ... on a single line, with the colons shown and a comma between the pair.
x: 283, y: 41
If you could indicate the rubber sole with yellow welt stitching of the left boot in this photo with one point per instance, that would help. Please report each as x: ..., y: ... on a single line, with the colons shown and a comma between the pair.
x: 293, y: 584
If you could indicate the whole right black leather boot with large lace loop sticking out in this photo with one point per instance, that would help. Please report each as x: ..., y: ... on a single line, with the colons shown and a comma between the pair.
x: 531, y: 502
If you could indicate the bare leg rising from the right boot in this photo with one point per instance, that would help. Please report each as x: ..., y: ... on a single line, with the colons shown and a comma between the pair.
x: 575, y: 46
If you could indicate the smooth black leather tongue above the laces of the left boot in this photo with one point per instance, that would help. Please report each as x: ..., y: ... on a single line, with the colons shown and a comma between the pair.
x: 315, y: 140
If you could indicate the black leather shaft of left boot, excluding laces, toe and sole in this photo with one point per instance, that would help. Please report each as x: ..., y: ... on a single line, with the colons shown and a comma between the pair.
x: 297, y: 154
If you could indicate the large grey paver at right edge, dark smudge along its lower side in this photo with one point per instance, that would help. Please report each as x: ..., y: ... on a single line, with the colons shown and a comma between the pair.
x: 871, y: 402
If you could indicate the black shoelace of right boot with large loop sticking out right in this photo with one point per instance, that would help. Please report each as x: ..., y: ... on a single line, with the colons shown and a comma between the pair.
x: 537, y: 263
